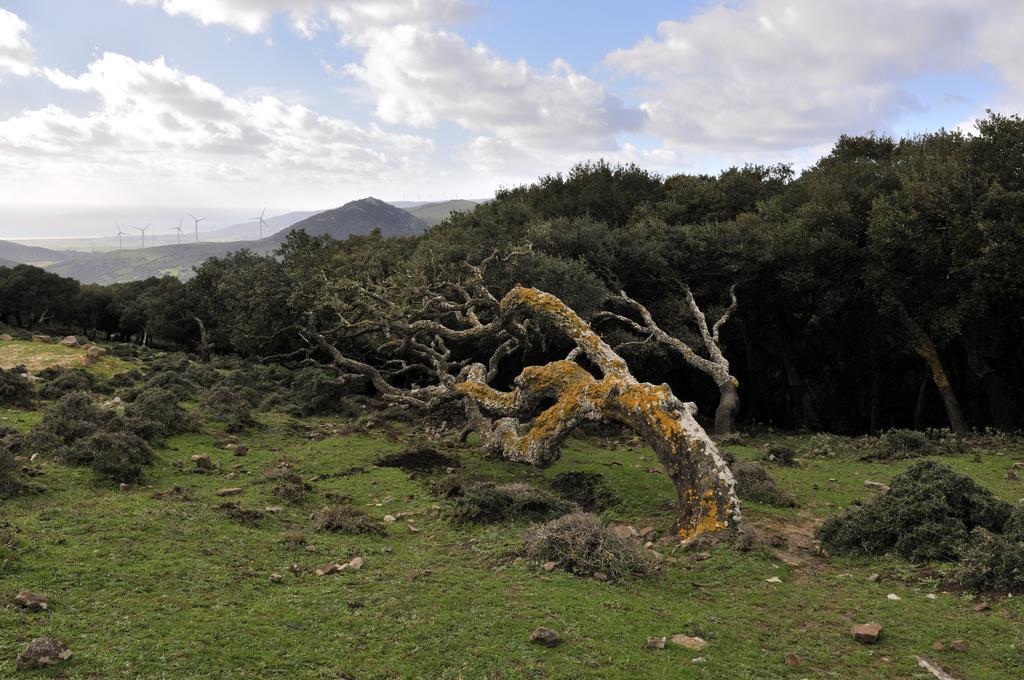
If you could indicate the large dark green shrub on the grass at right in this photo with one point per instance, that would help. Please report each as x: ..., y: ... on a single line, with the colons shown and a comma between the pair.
x: 928, y: 514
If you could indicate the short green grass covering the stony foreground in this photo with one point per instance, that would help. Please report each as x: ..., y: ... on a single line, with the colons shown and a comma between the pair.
x: 167, y: 589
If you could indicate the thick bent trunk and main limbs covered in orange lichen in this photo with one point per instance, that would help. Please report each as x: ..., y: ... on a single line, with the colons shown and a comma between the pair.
x: 706, y: 498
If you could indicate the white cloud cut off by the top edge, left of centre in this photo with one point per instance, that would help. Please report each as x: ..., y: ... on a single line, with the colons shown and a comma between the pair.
x: 309, y: 17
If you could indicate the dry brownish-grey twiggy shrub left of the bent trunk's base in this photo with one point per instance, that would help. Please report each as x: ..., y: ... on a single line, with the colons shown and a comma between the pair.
x: 580, y: 543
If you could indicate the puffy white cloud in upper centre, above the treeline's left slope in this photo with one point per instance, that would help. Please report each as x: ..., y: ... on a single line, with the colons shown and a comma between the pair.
x: 421, y: 77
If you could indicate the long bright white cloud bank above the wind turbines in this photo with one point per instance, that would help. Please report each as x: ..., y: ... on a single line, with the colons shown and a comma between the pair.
x: 156, y: 121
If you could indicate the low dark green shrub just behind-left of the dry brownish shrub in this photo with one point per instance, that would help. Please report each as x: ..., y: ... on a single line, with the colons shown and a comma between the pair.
x: 487, y: 502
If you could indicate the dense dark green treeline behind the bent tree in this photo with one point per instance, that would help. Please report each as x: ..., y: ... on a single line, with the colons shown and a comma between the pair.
x: 883, y: 287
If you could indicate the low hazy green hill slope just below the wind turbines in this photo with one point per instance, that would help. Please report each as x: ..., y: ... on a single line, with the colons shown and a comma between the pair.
x: 124, y: 266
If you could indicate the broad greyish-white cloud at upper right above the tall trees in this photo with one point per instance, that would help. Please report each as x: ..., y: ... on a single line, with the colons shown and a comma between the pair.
x: 780, y: 74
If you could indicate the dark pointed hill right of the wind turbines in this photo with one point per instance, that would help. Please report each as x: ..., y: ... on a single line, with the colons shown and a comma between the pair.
x: 358, y: 218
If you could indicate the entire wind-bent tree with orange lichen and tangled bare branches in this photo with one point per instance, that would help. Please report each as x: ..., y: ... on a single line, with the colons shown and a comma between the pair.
x: 530, y: 422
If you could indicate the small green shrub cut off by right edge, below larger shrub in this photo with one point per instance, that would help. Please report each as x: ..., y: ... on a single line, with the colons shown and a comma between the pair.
x: 991, y: 562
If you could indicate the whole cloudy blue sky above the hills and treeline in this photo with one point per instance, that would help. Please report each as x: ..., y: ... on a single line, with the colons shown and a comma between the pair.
x: 146, y: 109
